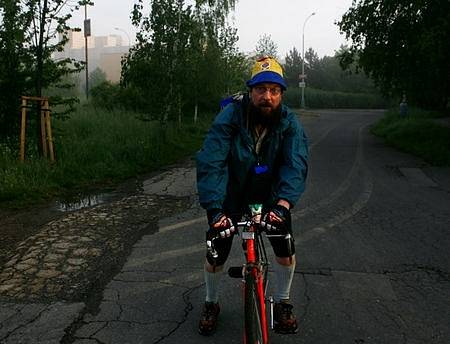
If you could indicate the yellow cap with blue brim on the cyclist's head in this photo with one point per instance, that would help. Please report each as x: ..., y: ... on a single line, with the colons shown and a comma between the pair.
x: 267, y: 69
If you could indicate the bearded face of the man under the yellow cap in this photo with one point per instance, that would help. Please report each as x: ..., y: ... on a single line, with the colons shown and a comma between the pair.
x: 266, y: 97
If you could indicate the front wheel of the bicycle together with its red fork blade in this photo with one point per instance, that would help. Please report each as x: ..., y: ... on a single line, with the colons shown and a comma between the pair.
x: 254, y: 308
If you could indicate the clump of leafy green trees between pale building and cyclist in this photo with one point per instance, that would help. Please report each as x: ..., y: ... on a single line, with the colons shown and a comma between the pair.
x: 185, y: 57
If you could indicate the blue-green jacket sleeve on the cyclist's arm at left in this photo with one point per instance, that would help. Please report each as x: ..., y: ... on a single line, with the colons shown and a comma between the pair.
x: 212, y: 171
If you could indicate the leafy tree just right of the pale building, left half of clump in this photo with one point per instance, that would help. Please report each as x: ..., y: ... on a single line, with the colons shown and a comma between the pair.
x: 155, y: 64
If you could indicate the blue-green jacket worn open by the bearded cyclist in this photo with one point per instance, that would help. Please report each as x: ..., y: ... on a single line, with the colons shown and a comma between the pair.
x: 227, y: 159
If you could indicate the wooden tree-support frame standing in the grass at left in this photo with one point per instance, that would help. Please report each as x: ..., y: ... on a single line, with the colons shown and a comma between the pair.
x: 46, y: 127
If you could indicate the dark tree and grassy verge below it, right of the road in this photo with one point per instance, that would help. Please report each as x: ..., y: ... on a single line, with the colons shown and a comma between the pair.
x: 390, y: 43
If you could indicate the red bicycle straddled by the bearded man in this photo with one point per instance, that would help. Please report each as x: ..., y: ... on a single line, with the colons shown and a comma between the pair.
x: 254, y: 274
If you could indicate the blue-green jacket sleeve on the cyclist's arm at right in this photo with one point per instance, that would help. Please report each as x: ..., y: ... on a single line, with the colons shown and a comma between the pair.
x: 294, y: 167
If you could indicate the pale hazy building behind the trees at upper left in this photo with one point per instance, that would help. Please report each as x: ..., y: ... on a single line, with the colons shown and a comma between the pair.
x: 104, y: 52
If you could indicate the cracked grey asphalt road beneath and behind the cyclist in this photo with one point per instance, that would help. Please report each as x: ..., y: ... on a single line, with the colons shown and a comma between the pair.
x: 373, y: 253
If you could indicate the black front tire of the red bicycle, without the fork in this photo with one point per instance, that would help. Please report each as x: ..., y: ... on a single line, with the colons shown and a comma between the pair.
x: 253, y: 325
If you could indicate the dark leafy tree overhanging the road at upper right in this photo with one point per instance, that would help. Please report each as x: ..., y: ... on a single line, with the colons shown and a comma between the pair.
x: 403, y: 45
